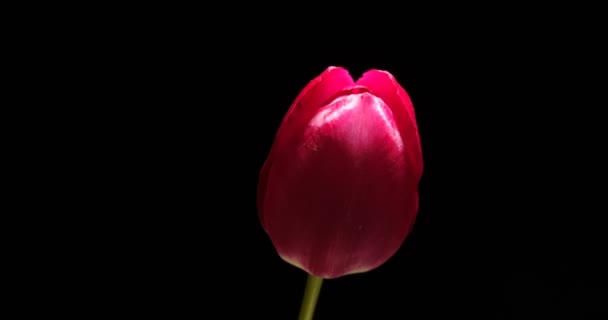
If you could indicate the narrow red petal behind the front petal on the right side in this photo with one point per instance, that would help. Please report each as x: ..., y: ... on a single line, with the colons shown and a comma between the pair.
x: 384, y: 85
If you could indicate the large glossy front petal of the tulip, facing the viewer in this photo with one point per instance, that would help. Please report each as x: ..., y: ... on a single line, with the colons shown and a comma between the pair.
x: 339, y: 198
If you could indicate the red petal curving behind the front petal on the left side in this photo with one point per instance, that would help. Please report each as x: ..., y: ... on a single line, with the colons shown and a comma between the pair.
x: 316, y: 93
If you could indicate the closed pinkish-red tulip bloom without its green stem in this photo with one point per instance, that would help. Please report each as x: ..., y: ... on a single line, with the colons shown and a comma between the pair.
x: 338, y: 193
